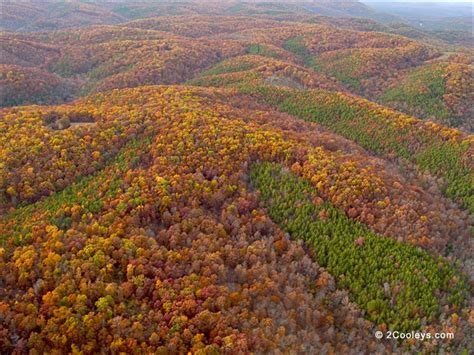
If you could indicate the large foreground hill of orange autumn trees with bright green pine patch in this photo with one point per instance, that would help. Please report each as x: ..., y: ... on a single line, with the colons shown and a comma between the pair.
x: 173, y: 236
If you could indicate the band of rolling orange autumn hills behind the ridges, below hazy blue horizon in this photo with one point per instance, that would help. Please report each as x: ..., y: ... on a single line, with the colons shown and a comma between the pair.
x: 355, y: 56
